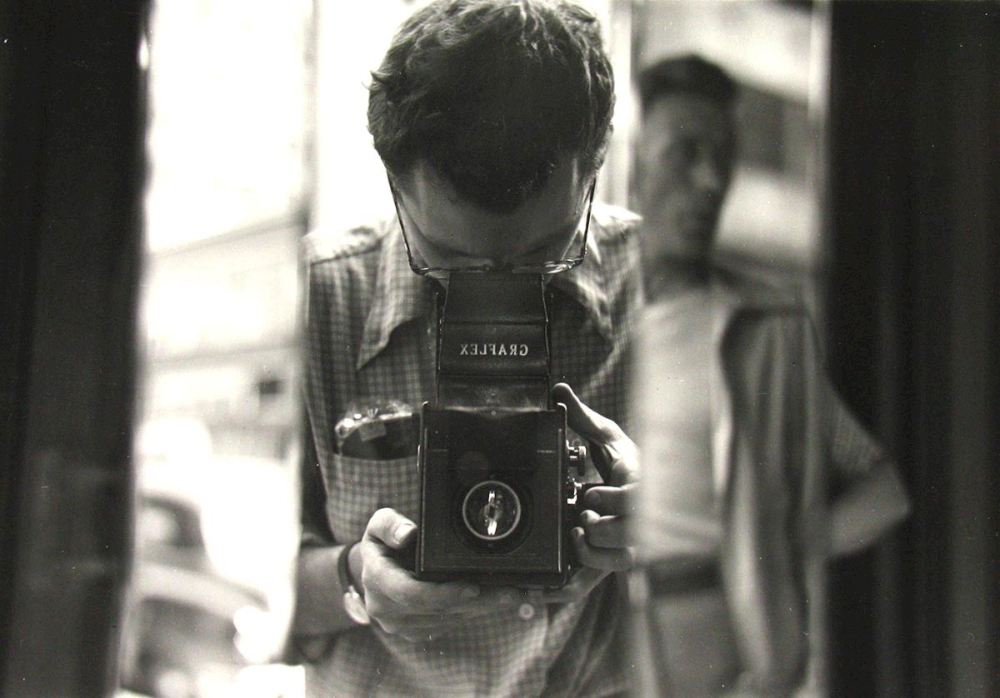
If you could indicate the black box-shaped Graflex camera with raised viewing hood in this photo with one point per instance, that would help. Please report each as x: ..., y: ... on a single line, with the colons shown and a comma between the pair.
x: 498, y: 496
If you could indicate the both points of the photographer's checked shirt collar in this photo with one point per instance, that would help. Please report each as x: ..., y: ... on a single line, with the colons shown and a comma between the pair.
x: 401, y: 295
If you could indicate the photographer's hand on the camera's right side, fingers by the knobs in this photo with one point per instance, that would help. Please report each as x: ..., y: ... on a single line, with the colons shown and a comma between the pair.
x: 602, y: 540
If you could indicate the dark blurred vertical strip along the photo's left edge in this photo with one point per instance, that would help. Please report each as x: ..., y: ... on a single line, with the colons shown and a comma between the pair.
x: 74, y: 177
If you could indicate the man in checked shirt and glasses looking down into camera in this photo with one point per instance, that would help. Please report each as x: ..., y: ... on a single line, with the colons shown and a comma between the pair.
x: 492, y: 118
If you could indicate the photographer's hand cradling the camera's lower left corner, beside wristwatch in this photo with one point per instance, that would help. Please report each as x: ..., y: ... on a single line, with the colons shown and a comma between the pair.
x: 401, y: 604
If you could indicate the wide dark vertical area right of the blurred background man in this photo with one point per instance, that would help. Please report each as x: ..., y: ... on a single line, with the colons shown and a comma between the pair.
x: 913, y: 324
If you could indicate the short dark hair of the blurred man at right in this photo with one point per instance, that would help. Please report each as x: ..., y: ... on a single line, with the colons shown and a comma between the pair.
x: 690, y: 74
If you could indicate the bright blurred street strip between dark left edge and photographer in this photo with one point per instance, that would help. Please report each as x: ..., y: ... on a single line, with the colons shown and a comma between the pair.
x: 228, y: 200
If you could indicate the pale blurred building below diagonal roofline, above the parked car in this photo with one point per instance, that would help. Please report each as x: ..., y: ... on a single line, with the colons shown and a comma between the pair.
x: 220, y: 319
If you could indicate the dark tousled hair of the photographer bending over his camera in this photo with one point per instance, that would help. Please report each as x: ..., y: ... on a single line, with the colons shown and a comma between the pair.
x: 493, y: 94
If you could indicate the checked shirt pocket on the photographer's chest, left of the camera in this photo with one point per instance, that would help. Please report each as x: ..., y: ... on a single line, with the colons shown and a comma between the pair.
x: 357, y: 487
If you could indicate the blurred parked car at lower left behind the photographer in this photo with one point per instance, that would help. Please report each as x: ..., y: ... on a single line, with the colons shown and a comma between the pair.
x: 201, y: 610
